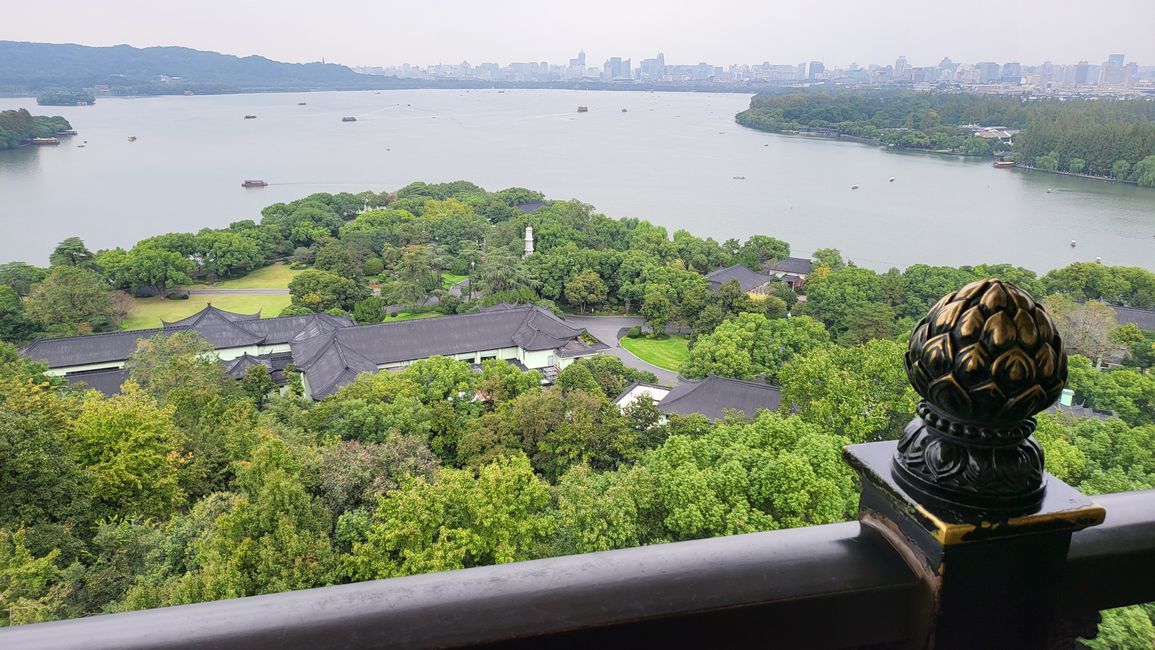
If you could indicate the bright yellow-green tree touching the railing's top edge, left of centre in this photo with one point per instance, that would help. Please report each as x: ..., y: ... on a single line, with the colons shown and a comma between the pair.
x: 465, y: 519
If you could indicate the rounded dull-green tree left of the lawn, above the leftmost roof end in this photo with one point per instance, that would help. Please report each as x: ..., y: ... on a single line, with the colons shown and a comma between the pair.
x: 73, y: 301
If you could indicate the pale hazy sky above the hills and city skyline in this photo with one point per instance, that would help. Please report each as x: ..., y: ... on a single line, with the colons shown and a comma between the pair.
x: 720, y: 32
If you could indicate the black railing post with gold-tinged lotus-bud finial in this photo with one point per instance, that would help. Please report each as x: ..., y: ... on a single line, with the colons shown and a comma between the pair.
x: 964, y: 495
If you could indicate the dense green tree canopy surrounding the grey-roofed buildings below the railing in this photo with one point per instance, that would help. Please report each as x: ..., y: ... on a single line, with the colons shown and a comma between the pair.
x: 191, y: 485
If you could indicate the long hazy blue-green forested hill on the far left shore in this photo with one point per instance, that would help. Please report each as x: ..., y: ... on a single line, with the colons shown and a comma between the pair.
x: 33, y: 68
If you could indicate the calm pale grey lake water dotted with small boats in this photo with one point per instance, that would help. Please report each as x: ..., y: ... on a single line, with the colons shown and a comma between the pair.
x: 672, y: 159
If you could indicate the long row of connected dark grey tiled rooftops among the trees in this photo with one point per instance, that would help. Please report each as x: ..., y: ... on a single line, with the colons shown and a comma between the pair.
x: 330, y: 350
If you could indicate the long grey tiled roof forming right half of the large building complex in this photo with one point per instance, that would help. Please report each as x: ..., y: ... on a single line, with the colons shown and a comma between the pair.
x: 334, y: 358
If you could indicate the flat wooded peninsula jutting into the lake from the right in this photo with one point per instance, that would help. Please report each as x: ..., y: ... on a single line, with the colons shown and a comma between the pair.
x: 1111, y: 139
